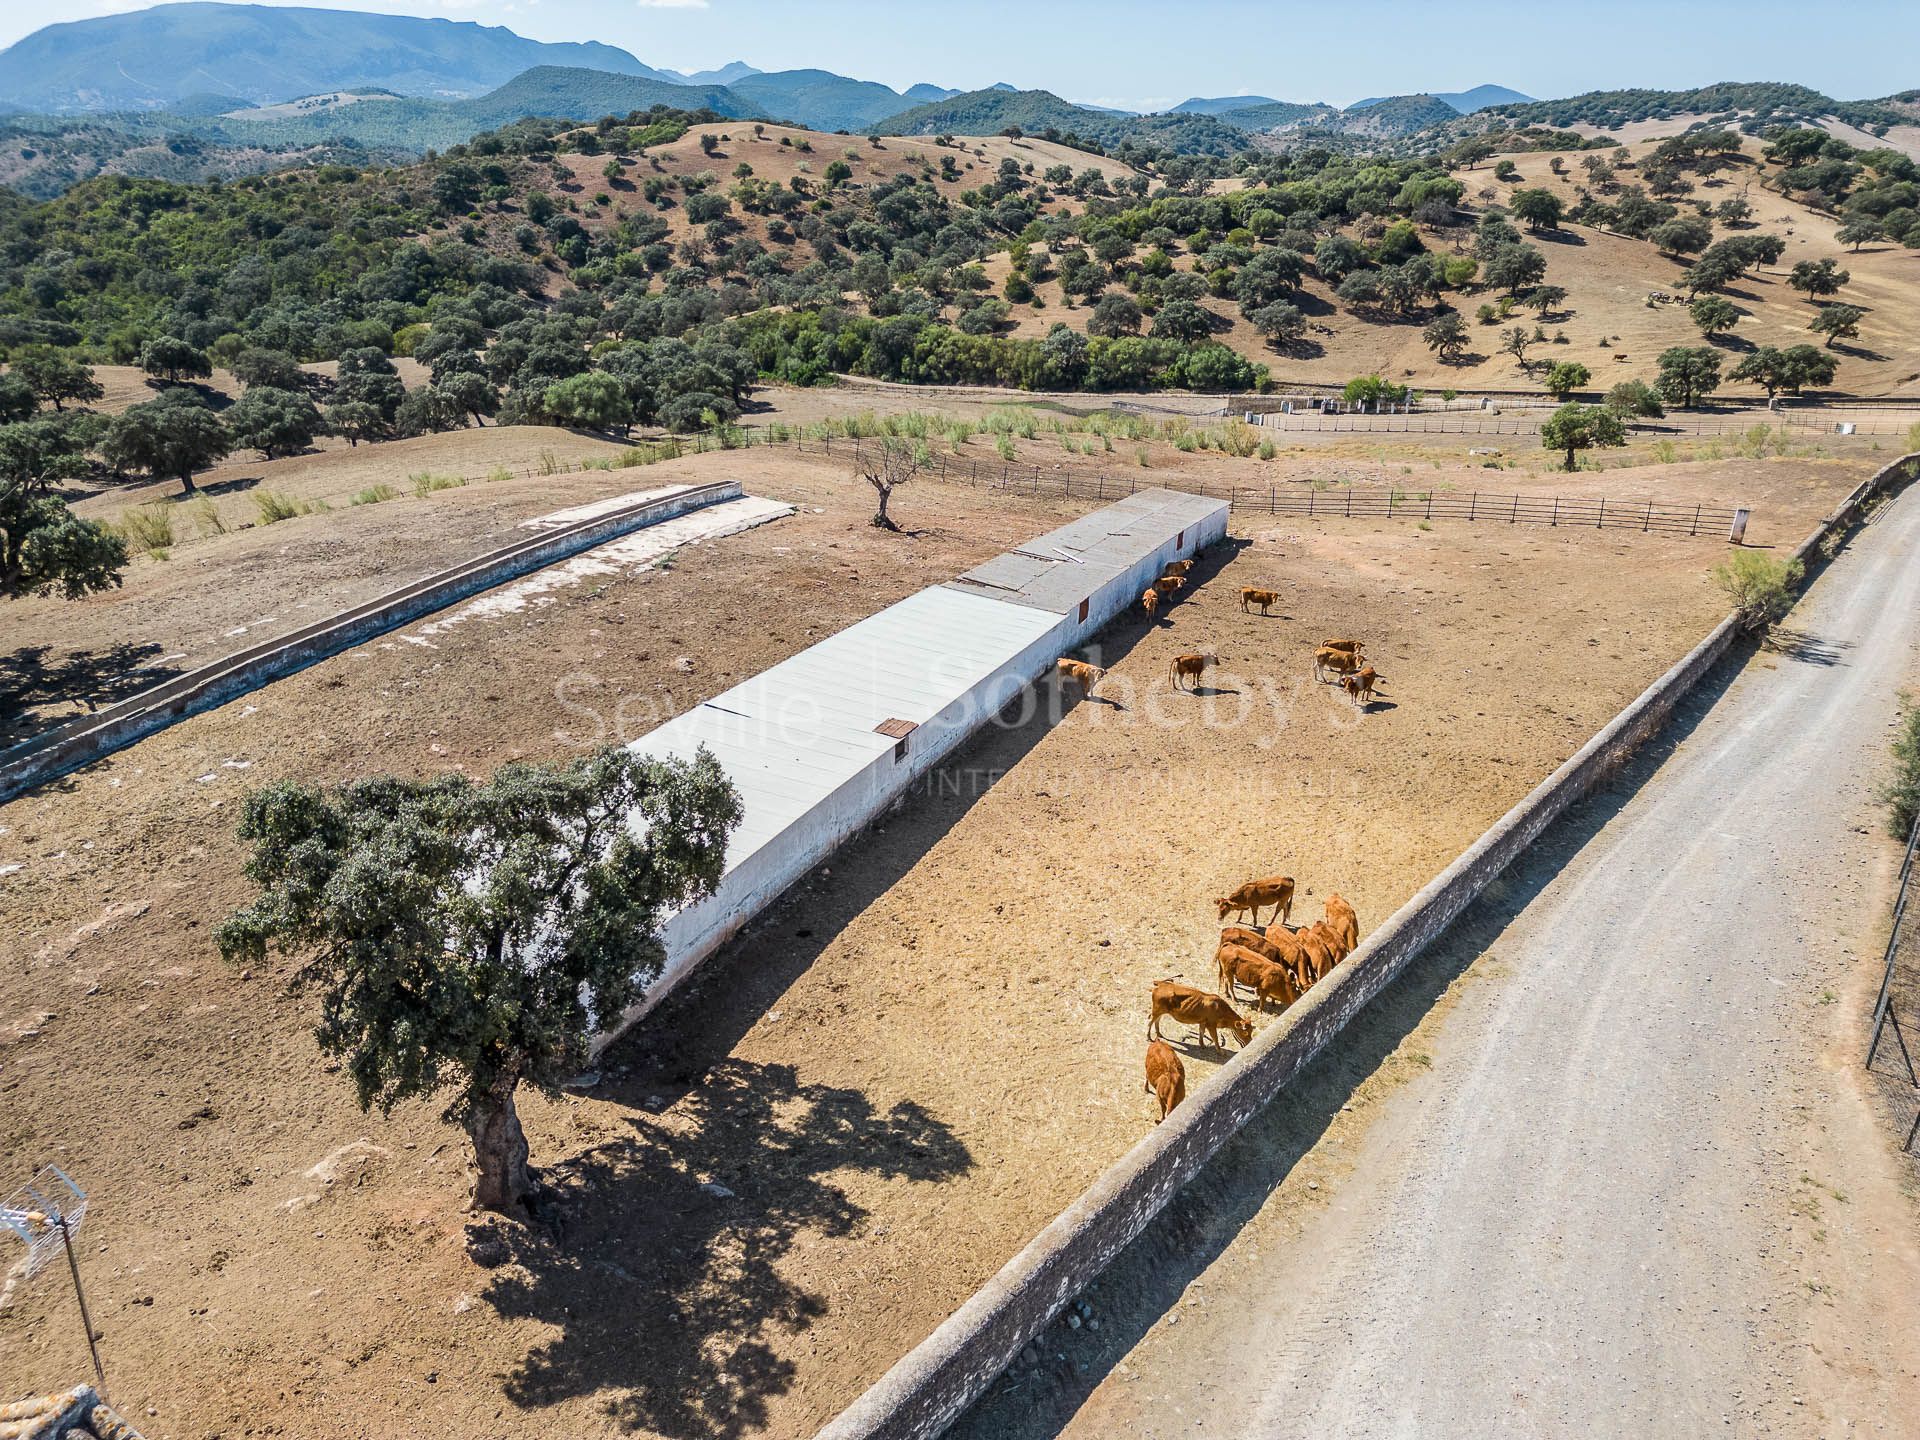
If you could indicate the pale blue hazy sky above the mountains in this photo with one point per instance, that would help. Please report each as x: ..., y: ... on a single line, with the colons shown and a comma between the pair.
x: 1157, y: 53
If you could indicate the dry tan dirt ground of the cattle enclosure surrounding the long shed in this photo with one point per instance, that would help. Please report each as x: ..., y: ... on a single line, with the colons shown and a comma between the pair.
x: 896, y: 1078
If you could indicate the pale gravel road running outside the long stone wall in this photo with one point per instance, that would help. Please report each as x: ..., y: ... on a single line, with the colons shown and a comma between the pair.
x: 1631, y: 1188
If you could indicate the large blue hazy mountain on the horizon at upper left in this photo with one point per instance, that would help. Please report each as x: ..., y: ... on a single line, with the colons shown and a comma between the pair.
x: 156, y: 59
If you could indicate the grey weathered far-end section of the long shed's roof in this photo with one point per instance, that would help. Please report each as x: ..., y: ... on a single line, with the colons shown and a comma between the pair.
x: 1061, y: 569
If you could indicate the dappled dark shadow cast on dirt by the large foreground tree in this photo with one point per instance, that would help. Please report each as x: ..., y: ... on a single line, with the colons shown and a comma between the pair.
x: 660, y: 1253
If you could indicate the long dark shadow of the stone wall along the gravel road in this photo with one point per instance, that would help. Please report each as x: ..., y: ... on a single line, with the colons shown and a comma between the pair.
x: 1153, y: 1274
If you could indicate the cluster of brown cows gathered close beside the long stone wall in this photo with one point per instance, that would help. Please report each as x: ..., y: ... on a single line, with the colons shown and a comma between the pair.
x: 1276, y: 963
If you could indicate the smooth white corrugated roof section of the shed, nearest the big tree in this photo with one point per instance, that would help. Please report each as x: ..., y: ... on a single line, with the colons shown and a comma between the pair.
x: 794, y: 734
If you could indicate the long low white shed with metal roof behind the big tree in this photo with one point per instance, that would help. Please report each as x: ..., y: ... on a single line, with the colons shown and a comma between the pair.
x: 825, y: 742
